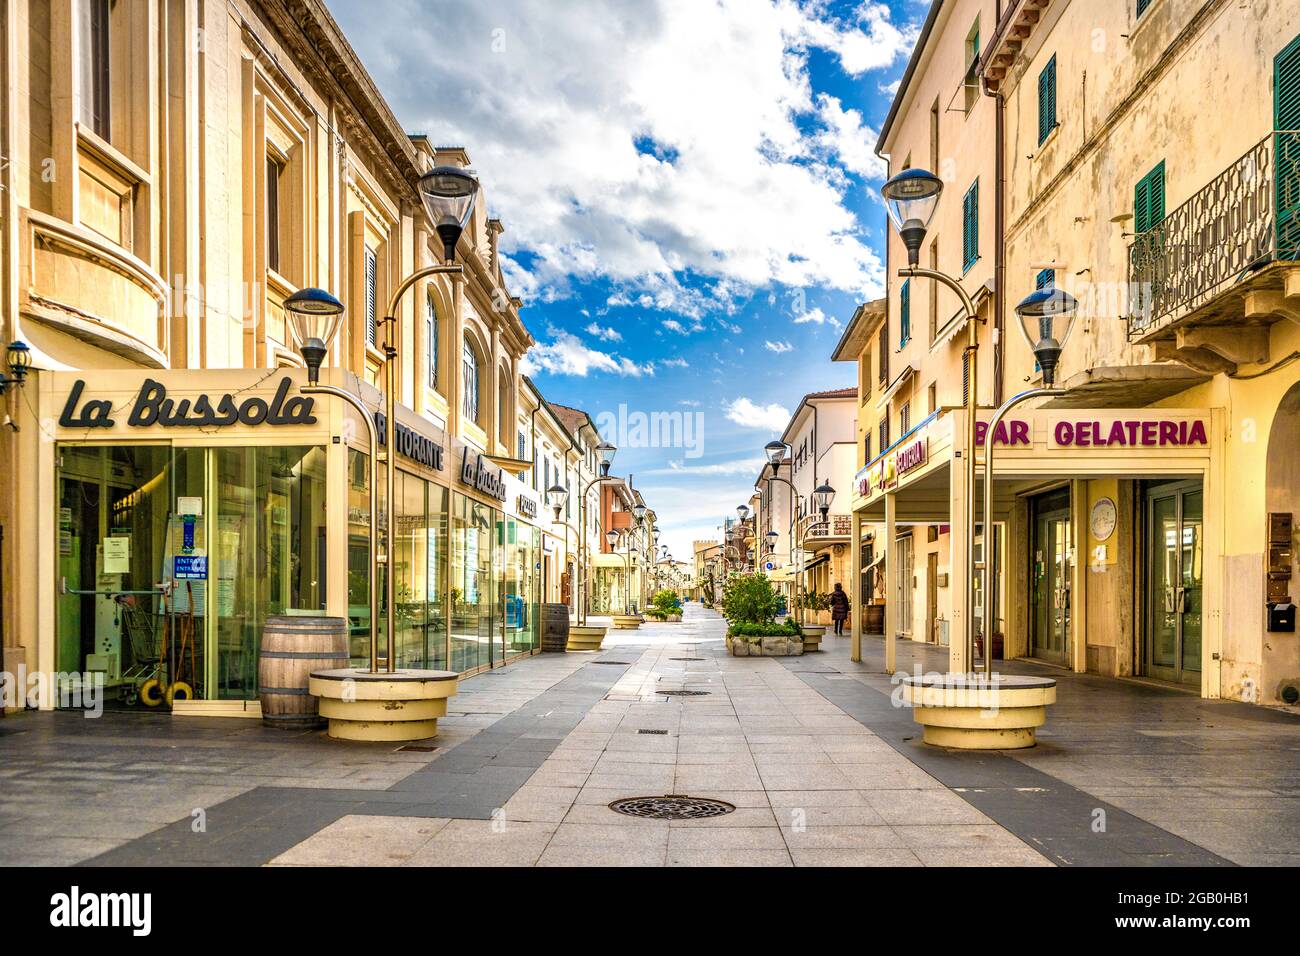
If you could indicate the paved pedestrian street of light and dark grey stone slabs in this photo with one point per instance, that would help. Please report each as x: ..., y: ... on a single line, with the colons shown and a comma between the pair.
x: 818, y: 764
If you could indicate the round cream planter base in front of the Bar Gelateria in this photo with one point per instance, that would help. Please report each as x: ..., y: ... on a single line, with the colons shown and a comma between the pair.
x: 969, y: 713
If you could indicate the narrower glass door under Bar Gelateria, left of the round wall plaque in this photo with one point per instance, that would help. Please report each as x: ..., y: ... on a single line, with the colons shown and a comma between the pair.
x: 1052, y: 563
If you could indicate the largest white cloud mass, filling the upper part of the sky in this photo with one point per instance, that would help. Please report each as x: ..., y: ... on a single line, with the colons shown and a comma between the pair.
x: 604, y: 159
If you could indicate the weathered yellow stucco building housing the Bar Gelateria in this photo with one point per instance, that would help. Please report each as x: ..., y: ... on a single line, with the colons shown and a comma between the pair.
x: 1141, y: 155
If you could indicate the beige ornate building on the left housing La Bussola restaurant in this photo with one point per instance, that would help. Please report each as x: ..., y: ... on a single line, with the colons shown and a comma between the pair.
x: 172, y: 172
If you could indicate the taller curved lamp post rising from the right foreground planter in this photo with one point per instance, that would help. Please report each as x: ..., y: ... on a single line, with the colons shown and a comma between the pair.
x: 912, y: 198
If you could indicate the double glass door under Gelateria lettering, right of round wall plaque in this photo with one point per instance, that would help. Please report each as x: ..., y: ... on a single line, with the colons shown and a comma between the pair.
x: 1173, y: 641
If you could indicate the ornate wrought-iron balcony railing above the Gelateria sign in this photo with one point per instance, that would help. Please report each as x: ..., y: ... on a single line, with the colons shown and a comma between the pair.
x: 1247, y: 218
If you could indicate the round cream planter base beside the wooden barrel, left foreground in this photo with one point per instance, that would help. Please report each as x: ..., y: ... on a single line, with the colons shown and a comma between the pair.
x: 402, y: 706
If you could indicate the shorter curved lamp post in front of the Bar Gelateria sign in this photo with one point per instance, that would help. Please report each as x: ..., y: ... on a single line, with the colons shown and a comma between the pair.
x: 1047, y: 319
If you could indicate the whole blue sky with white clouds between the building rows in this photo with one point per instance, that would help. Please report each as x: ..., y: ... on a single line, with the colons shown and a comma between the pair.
x: 688, y: 192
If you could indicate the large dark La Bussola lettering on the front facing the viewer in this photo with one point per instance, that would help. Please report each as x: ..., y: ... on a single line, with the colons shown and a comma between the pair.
x: 153, y: 408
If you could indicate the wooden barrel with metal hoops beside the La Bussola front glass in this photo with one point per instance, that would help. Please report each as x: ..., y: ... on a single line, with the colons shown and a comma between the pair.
x: 292, y: 648
